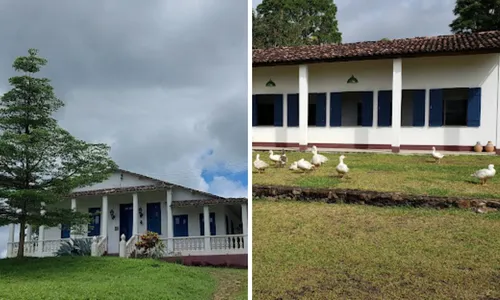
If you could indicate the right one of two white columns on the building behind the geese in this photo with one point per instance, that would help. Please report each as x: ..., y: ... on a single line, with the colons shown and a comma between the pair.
x: 397, y: 85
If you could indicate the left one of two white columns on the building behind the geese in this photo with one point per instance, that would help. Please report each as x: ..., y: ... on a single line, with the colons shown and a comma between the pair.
x: 303, y: 105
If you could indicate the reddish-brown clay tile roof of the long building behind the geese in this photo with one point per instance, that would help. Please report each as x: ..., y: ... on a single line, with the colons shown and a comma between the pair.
x: 485, y: 42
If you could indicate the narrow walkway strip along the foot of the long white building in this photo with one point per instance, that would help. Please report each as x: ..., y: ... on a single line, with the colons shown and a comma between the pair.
x: 388, y: 151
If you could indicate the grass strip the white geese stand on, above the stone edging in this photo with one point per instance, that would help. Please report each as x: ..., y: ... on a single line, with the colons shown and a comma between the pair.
x: 412, y: 174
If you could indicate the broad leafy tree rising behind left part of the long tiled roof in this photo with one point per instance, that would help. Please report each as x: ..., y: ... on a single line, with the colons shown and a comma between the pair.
x: 295, y: 22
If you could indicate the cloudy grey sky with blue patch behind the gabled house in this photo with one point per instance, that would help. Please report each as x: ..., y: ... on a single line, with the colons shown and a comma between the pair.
x: 163, y: 82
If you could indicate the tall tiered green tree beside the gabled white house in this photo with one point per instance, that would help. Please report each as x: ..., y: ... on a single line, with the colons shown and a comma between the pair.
x: 40, y: 162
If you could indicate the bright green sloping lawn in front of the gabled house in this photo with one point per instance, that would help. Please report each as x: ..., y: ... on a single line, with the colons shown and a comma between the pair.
x: 116, y: 278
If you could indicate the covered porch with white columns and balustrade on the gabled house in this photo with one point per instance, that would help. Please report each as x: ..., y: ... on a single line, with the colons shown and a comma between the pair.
x: 186, y: 226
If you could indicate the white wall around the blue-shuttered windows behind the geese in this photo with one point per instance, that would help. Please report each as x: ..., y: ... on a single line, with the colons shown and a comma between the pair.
x: 418, y: 73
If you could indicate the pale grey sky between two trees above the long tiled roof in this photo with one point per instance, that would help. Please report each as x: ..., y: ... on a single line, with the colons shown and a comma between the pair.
x: 364, y: 20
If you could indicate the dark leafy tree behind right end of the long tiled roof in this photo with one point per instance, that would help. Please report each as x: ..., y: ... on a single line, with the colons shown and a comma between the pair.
x: 476, y: 16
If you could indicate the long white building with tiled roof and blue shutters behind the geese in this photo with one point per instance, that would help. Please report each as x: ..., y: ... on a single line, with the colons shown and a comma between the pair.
x: 408, y: 94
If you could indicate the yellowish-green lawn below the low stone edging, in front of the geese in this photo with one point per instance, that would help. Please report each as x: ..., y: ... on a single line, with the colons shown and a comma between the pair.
x: 334, y: 251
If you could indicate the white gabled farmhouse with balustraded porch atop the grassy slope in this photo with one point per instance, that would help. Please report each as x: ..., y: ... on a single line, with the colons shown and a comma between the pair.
x: 195, y: 226
